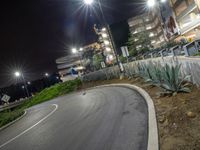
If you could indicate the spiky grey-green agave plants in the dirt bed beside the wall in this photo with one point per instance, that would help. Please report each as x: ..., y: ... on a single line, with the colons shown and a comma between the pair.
x: 166, y: 77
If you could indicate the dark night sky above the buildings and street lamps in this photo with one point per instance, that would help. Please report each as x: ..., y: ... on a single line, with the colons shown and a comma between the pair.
x: 33, y: 33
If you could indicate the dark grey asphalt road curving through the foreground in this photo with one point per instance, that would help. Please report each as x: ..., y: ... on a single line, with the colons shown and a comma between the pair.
x: 108, y: 118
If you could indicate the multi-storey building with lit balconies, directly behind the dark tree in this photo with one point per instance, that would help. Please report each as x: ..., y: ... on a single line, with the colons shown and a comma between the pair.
x: 150, y: 24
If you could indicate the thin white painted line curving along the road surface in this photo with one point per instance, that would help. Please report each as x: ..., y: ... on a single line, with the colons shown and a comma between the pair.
x: 56, y: 107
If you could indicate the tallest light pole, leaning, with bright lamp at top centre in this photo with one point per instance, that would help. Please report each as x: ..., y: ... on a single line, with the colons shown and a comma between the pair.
x: 107, y: 27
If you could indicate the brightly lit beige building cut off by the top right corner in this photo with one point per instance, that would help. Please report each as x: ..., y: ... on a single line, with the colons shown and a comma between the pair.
x: 187, y: 15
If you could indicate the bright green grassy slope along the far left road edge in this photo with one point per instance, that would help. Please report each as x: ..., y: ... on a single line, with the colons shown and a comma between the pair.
x: 45, y: 95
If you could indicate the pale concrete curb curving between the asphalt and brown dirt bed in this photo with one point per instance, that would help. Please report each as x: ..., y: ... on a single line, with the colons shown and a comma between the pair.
x: 153, y: 142
